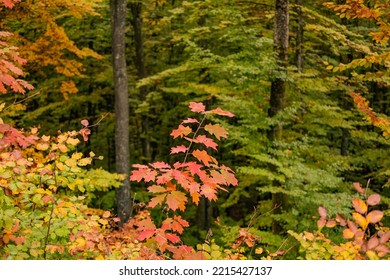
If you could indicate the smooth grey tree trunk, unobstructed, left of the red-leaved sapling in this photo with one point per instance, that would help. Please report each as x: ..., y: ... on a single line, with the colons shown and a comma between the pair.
x: 122, y: 149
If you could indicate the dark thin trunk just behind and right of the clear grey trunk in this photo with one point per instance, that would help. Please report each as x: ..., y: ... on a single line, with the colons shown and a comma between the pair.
x: 136, y: 22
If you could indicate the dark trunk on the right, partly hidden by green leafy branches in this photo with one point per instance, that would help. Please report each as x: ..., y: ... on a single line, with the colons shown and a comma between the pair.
x: 278, y: 92
